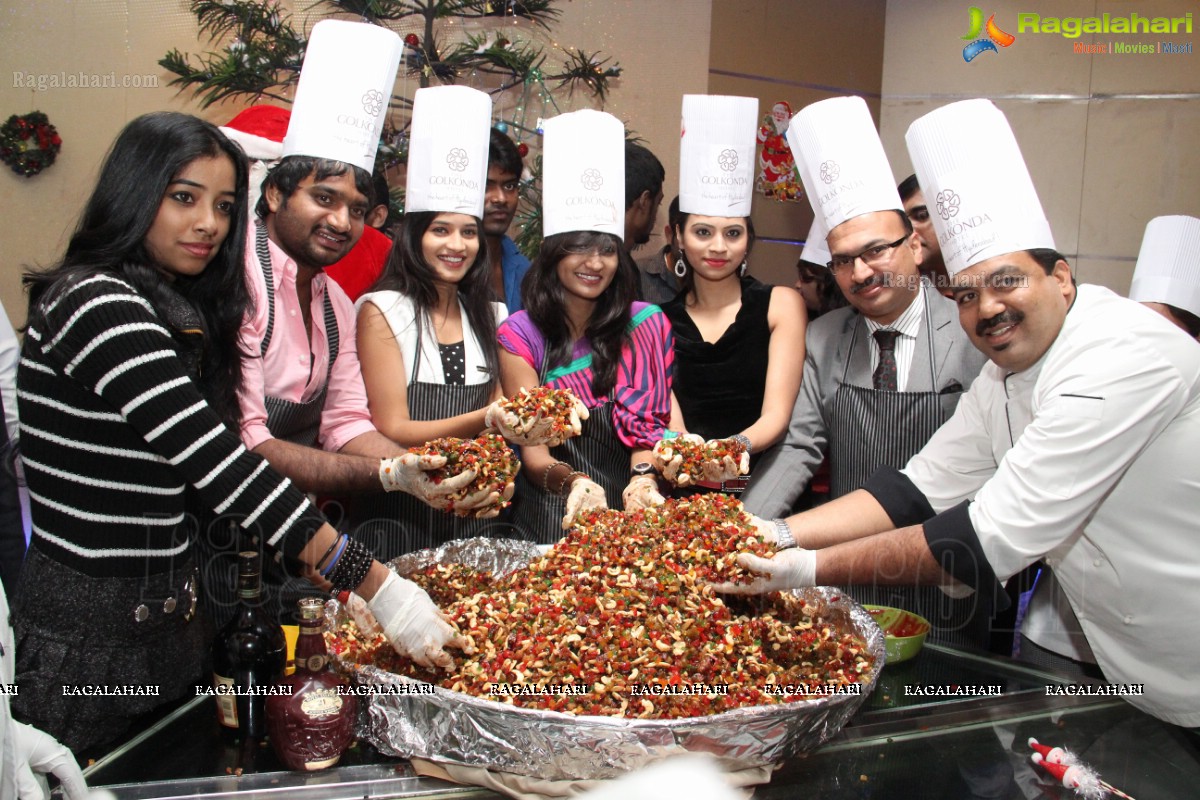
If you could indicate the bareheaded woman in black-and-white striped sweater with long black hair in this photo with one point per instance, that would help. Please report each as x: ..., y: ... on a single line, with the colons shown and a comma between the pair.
x: 128, y: 387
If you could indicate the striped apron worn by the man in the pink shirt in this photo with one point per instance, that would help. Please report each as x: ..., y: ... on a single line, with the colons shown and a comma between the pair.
x: 298, y: 423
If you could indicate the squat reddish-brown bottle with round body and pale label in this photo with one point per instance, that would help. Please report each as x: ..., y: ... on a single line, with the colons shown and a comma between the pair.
x: 313, y: 724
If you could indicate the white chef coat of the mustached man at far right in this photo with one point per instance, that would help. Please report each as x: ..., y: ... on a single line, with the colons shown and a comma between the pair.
x: 1089, y: 460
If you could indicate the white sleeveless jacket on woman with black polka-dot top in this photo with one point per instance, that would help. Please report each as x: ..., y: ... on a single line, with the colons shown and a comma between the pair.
x: 403, y: 320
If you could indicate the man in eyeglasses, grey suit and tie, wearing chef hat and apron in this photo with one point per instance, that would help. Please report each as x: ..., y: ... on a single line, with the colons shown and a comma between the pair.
x: 880, y: 376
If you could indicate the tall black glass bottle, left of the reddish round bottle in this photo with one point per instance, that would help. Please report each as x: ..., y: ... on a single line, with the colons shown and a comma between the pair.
x: 248, y: 658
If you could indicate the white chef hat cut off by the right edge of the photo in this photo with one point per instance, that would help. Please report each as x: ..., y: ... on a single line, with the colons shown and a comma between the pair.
x: 1169, y: 264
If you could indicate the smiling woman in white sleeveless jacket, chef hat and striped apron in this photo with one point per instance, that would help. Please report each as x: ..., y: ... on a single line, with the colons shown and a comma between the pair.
x: 427, y: 332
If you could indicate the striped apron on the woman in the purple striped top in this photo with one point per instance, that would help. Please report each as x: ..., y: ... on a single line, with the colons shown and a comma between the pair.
x: 598, y: 452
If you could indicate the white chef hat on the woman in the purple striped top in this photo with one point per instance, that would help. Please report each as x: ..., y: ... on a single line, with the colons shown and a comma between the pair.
x: 584, y: 175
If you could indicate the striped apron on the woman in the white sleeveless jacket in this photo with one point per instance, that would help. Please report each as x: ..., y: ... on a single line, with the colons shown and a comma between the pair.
x: 395, y: 524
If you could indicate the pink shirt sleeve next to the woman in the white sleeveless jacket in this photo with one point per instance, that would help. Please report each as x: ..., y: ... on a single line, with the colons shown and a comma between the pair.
x: 346, y: 413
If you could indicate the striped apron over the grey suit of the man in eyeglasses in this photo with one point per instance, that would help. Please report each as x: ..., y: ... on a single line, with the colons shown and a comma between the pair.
x: 869, y: 430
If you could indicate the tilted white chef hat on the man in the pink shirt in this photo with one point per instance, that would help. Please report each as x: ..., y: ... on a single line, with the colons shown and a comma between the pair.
x: 346, y: 82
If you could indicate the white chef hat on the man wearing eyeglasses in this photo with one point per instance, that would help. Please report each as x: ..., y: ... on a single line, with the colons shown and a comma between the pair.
x: 842, y: 161
